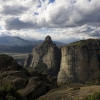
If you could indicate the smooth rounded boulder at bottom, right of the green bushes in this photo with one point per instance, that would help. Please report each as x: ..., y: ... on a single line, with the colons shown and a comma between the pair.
x: 34, y: 89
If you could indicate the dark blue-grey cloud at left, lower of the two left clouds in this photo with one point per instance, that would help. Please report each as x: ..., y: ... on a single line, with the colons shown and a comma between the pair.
x: 16, y: 24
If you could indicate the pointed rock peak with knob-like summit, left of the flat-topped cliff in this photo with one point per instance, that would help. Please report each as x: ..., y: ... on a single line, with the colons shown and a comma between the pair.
x: 47, y: 53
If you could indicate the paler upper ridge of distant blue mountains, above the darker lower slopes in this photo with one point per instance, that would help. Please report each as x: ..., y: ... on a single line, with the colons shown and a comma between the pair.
x: 17, y: 41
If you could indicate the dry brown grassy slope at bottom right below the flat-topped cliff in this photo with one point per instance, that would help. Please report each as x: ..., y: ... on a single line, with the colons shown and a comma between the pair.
x: 71, y: 92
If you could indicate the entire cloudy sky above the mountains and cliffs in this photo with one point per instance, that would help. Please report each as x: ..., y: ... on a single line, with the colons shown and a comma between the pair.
x: 63, y: 20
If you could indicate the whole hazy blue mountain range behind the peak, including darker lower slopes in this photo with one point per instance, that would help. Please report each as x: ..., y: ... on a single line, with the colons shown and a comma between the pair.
x: 12, y: 44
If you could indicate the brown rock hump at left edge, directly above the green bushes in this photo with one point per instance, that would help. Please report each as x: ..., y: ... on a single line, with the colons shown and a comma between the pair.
x: 19, y: 79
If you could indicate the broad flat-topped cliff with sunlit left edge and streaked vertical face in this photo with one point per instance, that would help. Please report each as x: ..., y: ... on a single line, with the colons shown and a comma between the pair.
x: 79, y: 61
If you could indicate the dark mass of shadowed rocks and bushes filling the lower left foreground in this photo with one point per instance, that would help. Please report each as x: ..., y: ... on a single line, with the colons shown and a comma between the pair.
x: 17, y: 83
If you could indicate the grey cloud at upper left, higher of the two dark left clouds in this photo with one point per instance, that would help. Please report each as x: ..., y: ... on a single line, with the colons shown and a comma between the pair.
x: 13, y: 10
